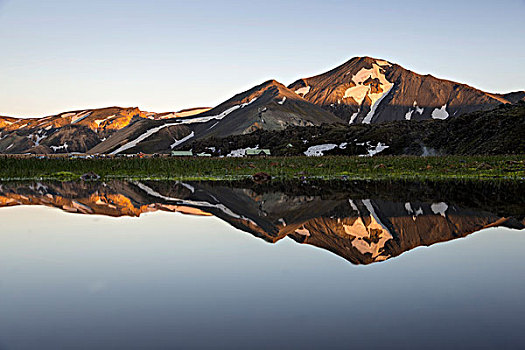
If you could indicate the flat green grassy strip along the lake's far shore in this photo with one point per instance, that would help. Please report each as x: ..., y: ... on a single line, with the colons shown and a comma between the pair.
x: 400, y: 167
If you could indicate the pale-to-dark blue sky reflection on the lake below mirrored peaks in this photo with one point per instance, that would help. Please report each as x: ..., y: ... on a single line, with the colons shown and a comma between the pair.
x: 165, y: 279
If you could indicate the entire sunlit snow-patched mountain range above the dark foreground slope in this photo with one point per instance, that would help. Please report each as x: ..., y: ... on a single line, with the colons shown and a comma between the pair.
x: 363, y: 90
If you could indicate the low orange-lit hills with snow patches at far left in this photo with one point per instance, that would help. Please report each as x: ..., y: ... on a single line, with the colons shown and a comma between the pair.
x: 81, y: 131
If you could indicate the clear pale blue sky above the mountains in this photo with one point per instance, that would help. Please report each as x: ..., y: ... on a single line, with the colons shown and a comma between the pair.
x: 160, y: 55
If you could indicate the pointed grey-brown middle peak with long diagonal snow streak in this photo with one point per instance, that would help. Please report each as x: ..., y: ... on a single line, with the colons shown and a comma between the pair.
x: 269, y: 106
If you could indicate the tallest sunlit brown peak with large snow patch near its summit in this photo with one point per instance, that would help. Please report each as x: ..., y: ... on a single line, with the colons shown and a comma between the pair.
x: 369, y: 90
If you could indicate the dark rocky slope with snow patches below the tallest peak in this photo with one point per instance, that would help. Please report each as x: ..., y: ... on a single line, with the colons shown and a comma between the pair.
x: 498, y: 131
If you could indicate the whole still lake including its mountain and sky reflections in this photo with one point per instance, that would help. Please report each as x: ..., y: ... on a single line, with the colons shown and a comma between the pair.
x: 296, y: 264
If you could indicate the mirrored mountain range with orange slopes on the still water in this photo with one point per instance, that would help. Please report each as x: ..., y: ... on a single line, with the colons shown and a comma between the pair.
x: 362, y: 222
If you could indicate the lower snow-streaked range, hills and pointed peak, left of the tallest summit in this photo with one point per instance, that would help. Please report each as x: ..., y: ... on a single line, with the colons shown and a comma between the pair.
x: 269, y: 106
